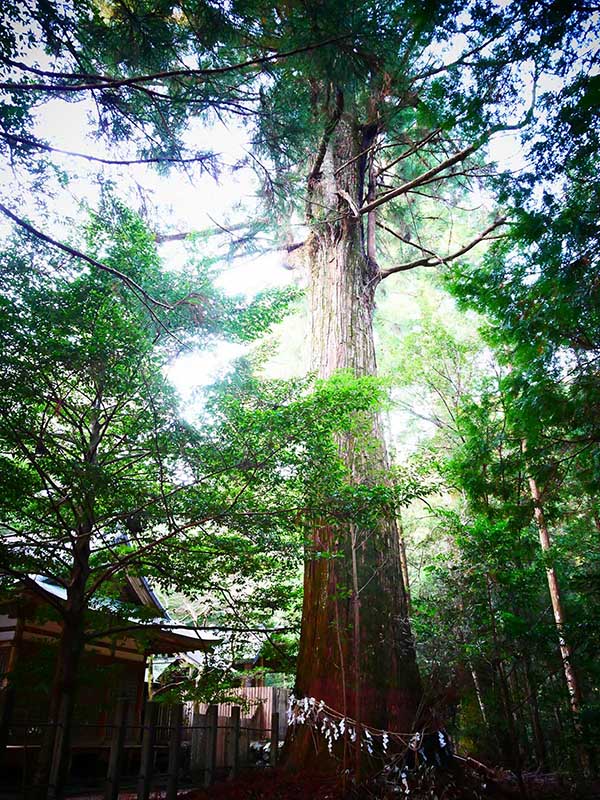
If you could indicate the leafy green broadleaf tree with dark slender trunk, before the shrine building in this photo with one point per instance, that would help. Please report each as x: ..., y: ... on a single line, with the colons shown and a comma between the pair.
x: 104, y: 478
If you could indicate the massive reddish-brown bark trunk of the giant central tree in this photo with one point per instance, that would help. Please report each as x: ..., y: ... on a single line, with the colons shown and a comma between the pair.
x: 356, y: 650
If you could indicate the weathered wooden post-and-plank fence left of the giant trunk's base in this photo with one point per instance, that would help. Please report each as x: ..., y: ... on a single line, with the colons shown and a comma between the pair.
x: 176, y: 746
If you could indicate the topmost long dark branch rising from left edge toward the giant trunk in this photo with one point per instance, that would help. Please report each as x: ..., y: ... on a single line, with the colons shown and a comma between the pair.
x: 110, y: 82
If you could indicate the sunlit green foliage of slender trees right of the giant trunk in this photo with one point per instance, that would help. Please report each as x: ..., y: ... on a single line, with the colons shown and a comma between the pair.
x: 479, y: 590
